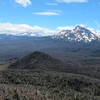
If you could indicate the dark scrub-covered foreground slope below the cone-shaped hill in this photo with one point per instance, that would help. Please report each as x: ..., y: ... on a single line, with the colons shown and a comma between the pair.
x: 47, y: 85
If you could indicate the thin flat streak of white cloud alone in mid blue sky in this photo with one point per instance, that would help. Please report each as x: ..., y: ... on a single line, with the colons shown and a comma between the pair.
x: 47, y: 13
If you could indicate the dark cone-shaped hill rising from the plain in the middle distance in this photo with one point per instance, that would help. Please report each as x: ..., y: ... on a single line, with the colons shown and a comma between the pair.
x: 37, y: 60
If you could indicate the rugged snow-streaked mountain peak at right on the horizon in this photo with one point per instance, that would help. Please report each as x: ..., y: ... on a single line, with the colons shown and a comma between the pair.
x: 77, y: 34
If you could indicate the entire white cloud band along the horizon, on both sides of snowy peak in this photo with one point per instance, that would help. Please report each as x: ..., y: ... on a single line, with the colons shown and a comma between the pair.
x: 24, y: 29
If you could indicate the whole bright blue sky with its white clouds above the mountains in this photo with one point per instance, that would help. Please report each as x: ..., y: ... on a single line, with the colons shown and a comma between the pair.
x: 47, y: 15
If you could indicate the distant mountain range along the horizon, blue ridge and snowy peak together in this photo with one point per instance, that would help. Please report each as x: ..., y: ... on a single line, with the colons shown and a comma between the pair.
x: 77, y: 34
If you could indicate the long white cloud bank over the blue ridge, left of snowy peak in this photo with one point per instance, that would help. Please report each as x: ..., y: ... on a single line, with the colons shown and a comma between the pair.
x: 24, y: 29
